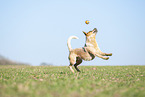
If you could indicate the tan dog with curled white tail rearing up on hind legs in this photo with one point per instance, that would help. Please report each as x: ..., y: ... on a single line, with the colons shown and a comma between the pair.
x: 87, y: 53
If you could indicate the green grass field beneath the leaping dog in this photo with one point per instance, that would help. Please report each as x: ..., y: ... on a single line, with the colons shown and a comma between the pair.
x: 55, y: 81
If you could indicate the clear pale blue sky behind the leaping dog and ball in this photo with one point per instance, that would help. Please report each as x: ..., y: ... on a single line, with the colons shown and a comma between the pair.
x: 36, y: 31
